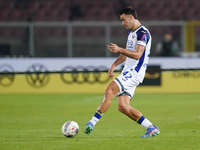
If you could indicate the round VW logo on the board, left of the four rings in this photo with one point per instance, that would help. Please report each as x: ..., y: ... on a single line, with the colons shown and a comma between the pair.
x: 37, y: 75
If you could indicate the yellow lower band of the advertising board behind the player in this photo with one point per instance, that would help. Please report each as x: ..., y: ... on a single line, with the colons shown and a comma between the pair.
x: 95, y: 80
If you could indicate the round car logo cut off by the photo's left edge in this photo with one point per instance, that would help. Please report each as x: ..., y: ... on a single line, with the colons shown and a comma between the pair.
x: 7, y: 75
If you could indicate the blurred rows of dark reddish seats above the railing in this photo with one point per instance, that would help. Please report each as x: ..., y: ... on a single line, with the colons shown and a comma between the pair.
x: 43, y: 10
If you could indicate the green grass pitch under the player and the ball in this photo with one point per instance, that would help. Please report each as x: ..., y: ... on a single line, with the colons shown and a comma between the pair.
x: 34, y: 121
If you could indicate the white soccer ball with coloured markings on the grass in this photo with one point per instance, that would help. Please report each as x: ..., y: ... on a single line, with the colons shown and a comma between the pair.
x: 70, y: 129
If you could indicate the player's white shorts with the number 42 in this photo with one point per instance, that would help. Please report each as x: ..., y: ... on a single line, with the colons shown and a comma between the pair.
x: 127, y: 83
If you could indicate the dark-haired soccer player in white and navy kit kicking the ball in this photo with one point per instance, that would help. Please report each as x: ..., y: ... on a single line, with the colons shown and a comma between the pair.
x: 135, y: 56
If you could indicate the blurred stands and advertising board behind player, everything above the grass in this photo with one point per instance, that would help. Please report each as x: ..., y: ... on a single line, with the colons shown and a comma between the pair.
x: 38, y: 37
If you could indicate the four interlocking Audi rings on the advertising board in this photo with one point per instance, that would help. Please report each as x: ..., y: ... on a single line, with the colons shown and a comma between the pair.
x: 82, y: 75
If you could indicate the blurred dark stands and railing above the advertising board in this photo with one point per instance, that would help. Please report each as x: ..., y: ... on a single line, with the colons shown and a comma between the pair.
x: 77, y: 28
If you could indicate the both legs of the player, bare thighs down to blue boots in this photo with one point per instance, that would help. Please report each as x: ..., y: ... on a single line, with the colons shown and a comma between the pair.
x: 125, y: 108
